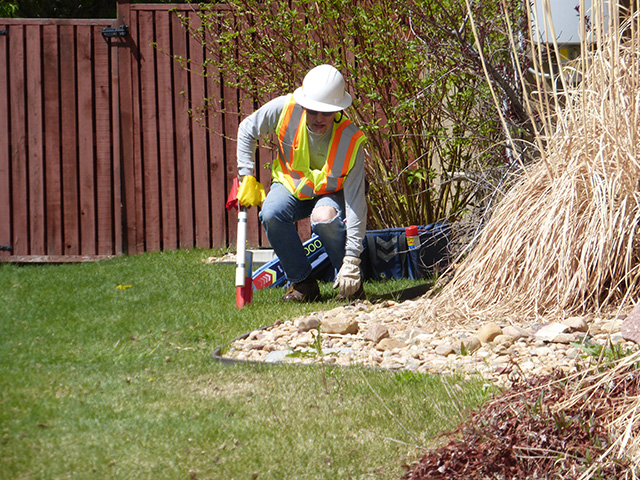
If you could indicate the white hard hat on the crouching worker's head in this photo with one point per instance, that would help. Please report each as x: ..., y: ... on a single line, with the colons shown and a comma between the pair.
x: 322, y: 90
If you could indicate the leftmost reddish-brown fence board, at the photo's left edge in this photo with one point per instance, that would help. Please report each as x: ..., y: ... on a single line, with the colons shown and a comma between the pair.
x: 5, y: 183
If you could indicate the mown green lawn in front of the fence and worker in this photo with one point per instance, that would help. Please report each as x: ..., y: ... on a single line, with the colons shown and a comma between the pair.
x: 106, y: 373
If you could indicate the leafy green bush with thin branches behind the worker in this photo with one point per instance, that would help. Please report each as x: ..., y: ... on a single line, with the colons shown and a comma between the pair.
x: 436, y: 143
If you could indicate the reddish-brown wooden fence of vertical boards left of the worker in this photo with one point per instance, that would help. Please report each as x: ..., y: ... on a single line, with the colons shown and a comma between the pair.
x: 99, y: 155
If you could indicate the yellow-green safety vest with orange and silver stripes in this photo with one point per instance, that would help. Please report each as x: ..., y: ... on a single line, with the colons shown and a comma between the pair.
x: 292, y: 167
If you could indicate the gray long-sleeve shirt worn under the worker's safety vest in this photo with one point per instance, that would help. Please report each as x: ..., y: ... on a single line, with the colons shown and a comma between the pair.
x: 264, y: 121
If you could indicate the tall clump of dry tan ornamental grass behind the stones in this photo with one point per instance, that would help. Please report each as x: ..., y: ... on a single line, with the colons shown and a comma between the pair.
x: 565, y: 240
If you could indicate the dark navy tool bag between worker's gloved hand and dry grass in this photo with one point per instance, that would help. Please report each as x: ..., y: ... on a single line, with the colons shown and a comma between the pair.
x: 387, y: 254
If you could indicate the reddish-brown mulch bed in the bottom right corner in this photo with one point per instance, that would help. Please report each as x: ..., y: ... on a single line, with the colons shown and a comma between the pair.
x: 522, y: 434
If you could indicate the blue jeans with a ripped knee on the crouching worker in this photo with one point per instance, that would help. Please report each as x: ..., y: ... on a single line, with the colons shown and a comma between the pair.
x: 279, y: 213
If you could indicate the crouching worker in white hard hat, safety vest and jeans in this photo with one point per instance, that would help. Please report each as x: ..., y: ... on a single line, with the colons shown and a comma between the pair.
x: 319, y: 173
